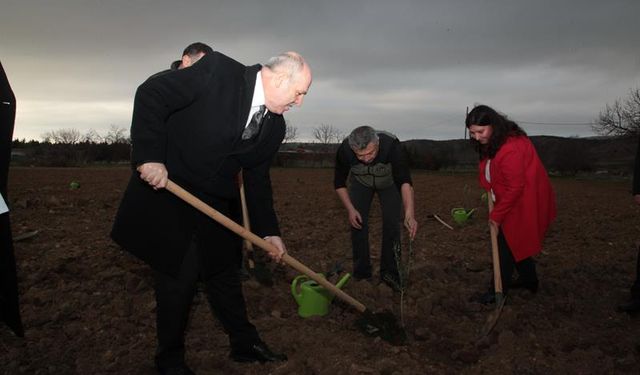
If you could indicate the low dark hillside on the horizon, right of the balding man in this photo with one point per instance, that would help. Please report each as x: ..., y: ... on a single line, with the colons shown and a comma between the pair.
x: 559, y: 155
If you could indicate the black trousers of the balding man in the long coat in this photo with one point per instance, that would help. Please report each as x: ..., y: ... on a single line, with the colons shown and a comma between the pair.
x: 174, y: 297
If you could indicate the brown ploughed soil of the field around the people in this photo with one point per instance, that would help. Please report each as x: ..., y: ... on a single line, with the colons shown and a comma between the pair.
x: 88, y: 308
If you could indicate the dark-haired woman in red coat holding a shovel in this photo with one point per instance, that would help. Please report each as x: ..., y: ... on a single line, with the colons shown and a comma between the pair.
x: 517, y: 182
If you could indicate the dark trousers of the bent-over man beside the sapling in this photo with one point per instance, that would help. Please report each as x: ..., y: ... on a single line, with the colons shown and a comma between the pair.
x: 391, y: 204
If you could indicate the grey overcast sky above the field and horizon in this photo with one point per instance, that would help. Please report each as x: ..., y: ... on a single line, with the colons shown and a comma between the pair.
x: 409, y: 67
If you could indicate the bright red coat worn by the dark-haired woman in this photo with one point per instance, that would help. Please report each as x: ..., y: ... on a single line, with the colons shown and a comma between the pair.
x: 525, y: 203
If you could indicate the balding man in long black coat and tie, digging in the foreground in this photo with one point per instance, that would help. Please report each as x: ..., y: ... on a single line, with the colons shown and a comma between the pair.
x: 193, y: 125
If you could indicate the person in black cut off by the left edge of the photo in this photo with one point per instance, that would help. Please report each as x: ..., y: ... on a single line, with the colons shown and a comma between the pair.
x: 9, y: 307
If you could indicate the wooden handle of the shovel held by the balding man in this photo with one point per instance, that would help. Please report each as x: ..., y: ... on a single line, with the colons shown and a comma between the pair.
x: 257, y: 241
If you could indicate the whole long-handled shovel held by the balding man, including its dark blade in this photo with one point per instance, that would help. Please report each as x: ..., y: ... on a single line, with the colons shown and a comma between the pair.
x: 373, y: 324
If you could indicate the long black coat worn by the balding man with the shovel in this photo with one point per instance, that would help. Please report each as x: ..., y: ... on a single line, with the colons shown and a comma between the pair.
x: 192, y: 121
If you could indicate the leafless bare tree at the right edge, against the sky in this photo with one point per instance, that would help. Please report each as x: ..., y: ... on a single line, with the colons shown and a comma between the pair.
x: 620, y: 118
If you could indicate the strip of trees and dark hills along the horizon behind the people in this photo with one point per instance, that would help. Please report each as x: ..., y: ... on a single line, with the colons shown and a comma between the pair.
x: 618, y: 121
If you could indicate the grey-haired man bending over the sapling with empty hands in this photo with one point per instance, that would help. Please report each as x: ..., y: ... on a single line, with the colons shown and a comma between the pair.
x: 375, y: 163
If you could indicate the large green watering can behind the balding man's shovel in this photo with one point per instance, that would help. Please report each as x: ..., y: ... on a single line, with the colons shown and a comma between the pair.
x: 313, y: 298
